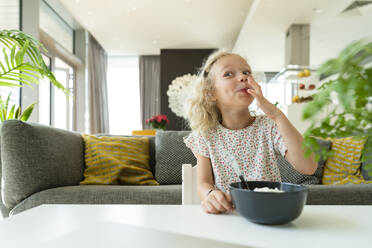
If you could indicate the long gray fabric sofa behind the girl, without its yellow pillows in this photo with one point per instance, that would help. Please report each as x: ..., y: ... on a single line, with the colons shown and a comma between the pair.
x: 44, y: 165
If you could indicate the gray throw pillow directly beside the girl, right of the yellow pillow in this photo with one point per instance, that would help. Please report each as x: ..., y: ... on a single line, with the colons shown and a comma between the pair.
x: 170, y: 153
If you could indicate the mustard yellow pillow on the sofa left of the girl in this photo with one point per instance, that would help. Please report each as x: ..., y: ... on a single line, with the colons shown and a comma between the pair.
x: 117, y: 160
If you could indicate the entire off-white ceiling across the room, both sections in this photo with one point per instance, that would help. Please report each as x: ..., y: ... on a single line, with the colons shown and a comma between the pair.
x: 253, y: 28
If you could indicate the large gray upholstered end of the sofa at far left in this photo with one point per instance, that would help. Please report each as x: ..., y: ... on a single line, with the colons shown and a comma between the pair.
x: 37, y: 157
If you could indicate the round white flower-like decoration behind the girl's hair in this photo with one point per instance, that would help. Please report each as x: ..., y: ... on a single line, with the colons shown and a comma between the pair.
x: 178, y: 92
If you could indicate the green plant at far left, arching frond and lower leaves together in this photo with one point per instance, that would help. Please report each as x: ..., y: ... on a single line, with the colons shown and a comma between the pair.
x: 22, y: 62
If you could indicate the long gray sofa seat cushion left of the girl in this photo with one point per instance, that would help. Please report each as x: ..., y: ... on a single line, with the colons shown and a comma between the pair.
x: 103, y: 194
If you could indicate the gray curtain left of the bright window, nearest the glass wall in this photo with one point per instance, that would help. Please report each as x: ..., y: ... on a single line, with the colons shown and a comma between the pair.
x: 97, y: 87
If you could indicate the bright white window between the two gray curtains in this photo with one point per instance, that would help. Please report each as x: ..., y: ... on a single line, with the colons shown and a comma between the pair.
x: 123, y: 94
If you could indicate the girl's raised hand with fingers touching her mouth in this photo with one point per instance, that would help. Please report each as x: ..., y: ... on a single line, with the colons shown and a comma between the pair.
x: 267, y: 107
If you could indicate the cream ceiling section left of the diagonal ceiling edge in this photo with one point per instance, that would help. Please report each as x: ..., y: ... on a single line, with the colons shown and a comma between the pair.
x: 135, y: 27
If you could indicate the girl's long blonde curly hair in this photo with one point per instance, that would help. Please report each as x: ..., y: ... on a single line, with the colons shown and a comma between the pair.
x: 202, y: 113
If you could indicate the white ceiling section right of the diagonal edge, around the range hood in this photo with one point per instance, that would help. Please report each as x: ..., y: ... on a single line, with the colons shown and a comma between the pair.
x: 261, y: 39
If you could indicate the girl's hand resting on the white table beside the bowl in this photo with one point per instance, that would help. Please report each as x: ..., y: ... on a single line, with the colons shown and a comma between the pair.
x: 217, y: 202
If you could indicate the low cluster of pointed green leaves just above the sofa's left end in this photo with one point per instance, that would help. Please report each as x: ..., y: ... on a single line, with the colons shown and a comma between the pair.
x: 6, y: 114
